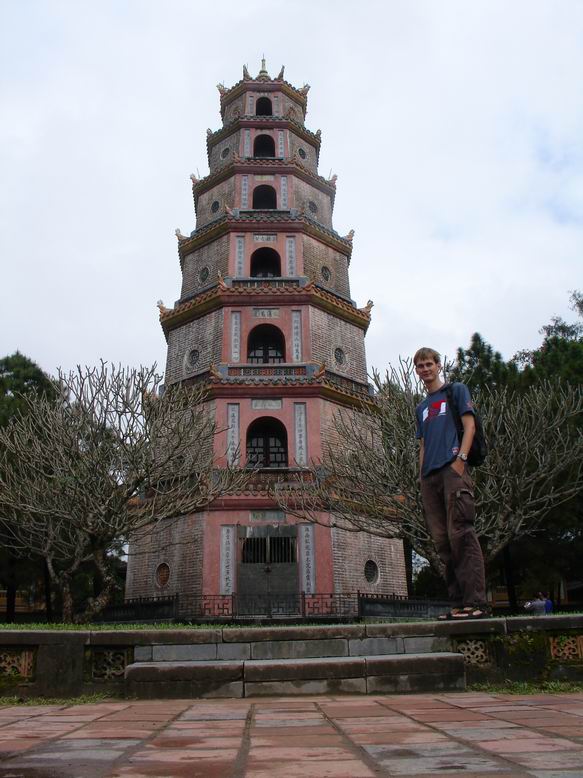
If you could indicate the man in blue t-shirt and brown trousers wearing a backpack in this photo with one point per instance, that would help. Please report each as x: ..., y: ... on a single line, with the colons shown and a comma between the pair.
x: 447, y: 489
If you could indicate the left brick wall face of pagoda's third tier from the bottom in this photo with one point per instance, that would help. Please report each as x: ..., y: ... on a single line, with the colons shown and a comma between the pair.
x: 205, y: 336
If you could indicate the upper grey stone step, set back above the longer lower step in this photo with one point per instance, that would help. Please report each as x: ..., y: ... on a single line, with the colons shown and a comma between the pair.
x: 293, y: 648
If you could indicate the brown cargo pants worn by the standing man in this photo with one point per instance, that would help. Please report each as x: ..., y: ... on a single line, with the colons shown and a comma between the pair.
x: 448, y: 500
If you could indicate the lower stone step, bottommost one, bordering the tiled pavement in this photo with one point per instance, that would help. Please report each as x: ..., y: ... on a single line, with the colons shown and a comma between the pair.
x: 367, y: 674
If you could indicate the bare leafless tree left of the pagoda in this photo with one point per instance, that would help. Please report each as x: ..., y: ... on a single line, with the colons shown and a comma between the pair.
x: 109, y: 458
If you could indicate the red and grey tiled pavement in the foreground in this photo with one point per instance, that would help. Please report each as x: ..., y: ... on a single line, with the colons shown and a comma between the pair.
x: 317, y: 737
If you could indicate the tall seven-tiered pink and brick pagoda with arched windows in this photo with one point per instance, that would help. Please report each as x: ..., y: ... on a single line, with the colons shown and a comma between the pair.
x: 265, y: 319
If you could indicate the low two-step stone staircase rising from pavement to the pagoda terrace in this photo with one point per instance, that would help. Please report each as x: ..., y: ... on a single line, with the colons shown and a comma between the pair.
x: 251, y: 662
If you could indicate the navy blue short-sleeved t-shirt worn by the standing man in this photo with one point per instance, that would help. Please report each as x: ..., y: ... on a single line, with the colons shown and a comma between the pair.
x: 436, y: 425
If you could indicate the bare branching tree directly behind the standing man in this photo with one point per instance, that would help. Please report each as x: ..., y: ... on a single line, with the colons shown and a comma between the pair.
x: 369, y: 482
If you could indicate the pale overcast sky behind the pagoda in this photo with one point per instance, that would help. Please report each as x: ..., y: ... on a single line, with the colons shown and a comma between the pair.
x: 455, y: 128
